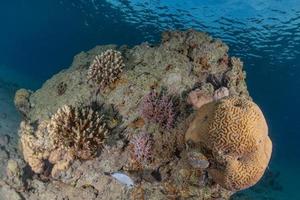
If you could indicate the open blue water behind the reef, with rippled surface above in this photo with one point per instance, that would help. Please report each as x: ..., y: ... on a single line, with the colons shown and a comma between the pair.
x: 39, y: 38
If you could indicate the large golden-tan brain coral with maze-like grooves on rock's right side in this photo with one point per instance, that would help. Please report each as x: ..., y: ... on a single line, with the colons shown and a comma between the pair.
x: 234, y: 135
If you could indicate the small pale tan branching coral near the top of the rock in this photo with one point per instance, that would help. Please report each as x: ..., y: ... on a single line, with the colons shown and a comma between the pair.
x: 106, y: 68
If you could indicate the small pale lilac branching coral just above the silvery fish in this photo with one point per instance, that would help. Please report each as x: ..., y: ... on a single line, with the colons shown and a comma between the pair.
x: 142, y: 146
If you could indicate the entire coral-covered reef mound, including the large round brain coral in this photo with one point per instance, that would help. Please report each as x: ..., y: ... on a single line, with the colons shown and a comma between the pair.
x: 209, y: 152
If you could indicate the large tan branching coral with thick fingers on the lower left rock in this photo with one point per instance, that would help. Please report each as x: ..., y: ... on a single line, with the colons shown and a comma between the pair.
x: 81, y: 130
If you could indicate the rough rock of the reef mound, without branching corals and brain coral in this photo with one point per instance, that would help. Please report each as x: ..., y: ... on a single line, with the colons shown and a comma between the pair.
x: 183, y: 62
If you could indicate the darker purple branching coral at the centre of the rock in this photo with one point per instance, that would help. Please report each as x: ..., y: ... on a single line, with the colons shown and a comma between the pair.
x: 159, y: 109
